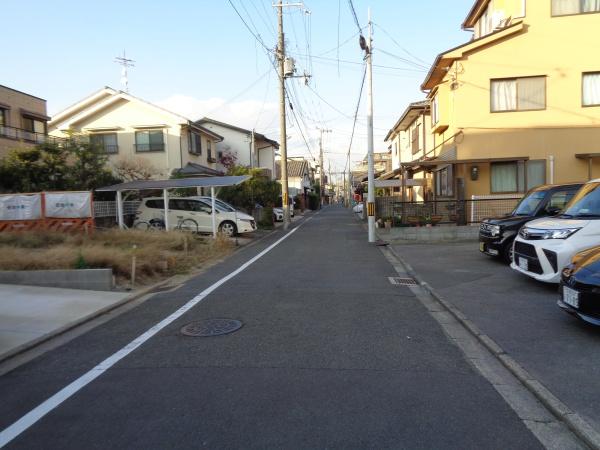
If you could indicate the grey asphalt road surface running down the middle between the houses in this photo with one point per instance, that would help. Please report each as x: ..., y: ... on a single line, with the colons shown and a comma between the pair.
x: 331, y: 355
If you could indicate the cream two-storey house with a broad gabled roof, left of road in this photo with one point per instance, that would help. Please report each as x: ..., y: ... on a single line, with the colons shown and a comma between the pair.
x: 141, y: 139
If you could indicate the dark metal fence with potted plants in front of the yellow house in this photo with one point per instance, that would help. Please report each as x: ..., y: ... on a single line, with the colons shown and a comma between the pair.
x: 459, y: 212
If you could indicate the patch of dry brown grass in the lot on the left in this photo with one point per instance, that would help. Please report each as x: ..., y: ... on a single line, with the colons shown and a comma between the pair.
x: 158, y: 254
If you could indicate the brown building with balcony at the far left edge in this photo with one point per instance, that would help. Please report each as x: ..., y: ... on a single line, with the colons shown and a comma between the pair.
x: 23, y: 120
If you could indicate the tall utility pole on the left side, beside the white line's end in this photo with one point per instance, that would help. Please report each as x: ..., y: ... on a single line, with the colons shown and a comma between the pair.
x: 282, y: 122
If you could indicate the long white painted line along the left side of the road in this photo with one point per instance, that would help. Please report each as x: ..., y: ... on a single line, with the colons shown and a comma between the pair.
x: 29, y: 419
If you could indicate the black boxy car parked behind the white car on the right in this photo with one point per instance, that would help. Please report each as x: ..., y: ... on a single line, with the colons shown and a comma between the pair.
x: 496, y: 234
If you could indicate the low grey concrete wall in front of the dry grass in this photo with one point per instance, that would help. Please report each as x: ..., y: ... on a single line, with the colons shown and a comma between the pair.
x: 89, y: 279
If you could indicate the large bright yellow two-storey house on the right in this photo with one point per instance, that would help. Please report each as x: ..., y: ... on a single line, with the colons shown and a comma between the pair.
x: 519, y: 104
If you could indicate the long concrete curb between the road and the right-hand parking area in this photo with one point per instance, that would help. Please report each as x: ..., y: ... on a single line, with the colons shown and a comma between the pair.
x: 572, y: 419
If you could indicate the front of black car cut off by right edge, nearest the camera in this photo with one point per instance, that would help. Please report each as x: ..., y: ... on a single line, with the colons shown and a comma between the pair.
x: 580, y: 286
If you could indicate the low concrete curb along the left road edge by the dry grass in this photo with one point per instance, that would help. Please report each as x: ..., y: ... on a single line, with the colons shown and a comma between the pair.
x: 130, y: 298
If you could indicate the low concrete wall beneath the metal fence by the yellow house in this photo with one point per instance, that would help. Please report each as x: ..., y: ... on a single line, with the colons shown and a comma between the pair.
x: 442, y: 233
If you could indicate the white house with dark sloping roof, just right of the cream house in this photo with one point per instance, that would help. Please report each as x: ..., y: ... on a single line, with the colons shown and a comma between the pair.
x: 251, y: 149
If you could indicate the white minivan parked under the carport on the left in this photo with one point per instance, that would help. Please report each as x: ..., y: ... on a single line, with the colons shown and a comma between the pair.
x: 191, y: 214
